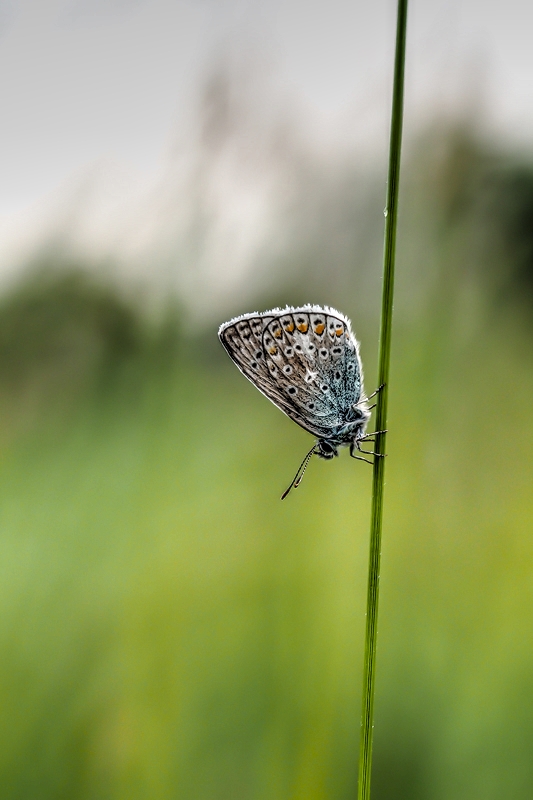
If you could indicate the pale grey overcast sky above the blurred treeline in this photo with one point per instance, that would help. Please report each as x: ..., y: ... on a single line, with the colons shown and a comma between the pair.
x: 86, y: 80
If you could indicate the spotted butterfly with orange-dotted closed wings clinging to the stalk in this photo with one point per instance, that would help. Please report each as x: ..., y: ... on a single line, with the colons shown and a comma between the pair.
x: 306, y: 361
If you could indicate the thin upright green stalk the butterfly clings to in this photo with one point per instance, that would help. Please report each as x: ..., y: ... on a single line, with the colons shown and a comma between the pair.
x: 391, y: 214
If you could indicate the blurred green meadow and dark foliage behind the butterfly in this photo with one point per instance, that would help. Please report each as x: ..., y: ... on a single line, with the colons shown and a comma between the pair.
x: 169, y: 629
